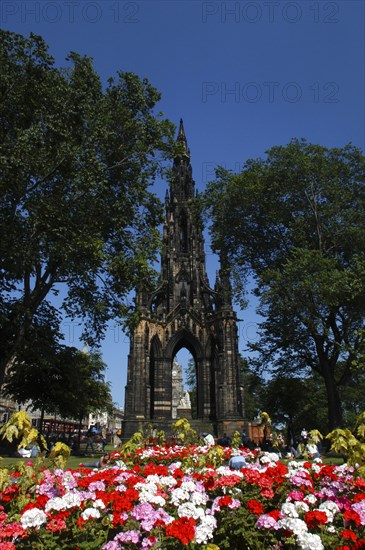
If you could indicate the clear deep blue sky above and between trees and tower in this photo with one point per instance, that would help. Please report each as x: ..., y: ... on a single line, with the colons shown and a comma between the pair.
x: 243, y: 75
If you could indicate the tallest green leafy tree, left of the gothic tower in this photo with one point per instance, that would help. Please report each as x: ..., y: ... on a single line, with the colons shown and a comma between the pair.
x: 76, y: 162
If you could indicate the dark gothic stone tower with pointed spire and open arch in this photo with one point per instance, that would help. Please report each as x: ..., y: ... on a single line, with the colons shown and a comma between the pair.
x: 184, y: 312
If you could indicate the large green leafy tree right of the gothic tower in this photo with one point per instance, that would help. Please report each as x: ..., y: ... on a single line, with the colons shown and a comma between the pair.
x: 296, y: 222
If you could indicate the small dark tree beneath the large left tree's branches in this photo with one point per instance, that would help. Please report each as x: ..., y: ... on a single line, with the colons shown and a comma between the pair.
x: 54, y: 378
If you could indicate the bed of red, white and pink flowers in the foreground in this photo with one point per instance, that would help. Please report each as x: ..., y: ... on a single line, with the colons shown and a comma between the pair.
x: 184, y: 497
